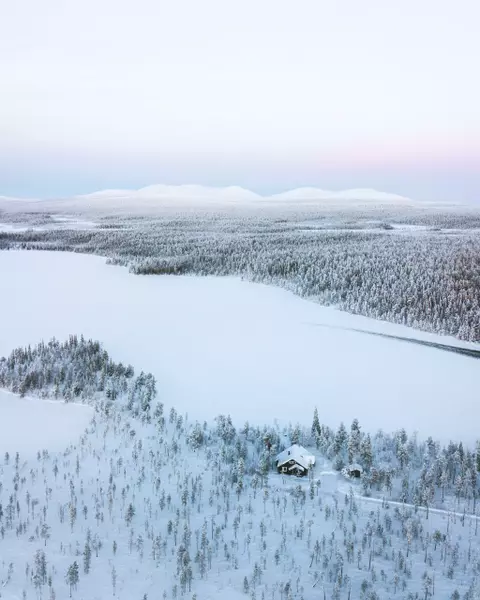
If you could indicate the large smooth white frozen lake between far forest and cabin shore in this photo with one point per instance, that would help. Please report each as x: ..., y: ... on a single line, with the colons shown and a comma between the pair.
x: 227, y: 346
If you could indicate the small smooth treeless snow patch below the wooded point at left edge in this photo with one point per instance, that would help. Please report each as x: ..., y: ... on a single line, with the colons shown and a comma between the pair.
x: 29, y: 425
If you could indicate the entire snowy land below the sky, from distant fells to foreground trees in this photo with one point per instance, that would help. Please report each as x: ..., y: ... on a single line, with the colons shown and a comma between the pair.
x: 215, y: 394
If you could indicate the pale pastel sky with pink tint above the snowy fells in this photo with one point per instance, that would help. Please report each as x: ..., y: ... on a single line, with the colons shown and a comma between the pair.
x: 266, y: 94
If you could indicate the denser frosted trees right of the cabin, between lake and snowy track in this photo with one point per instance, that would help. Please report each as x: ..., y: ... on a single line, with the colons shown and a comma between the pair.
x: 402, y: 467
